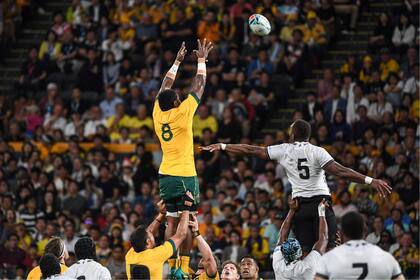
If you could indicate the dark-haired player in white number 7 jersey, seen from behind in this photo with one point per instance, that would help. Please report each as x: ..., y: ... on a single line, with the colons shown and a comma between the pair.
x: 357, y: 258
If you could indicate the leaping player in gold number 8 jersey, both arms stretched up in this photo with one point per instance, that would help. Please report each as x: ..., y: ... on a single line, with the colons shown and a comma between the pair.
x: 173, y: 114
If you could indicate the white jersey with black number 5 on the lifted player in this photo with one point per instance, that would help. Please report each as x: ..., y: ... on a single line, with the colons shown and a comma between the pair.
x: 303, y: 163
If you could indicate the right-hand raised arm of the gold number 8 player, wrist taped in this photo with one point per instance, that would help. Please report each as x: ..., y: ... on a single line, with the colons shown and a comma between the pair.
x: 199, y: 81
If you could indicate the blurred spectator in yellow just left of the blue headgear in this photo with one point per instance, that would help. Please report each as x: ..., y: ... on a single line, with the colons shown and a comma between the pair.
x: 257, y: 246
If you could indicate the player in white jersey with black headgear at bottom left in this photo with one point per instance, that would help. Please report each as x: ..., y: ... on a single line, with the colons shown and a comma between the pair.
x: 86, y: 268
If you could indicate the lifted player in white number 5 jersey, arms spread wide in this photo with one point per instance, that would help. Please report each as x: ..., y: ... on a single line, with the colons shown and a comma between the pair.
x: 305, y: 166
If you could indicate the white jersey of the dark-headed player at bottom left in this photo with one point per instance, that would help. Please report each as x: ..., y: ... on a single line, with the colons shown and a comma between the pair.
x: 88, y: 270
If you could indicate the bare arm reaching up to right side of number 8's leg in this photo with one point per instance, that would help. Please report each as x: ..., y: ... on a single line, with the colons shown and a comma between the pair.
x: 209, y: 263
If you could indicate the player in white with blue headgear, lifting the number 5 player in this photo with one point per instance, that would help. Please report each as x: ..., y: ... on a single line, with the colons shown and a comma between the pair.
x: 287, y: 257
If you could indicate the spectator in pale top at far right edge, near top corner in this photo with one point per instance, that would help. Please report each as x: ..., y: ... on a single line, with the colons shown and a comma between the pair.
x: 404, y: 34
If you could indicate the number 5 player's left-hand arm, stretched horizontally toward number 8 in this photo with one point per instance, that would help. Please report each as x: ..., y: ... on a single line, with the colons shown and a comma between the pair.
x: 241, y: 149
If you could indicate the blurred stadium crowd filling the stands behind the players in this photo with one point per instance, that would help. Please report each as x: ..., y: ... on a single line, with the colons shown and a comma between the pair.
x: 94, y: 78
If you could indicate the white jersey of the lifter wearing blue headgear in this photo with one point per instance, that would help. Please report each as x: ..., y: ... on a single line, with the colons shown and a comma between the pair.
x: 301, y: 269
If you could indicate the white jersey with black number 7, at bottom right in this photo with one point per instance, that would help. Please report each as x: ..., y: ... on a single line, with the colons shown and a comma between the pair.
x: 358, y: 259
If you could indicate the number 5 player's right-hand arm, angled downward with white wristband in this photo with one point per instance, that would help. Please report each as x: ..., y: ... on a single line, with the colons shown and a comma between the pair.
x: 338, y: 170
